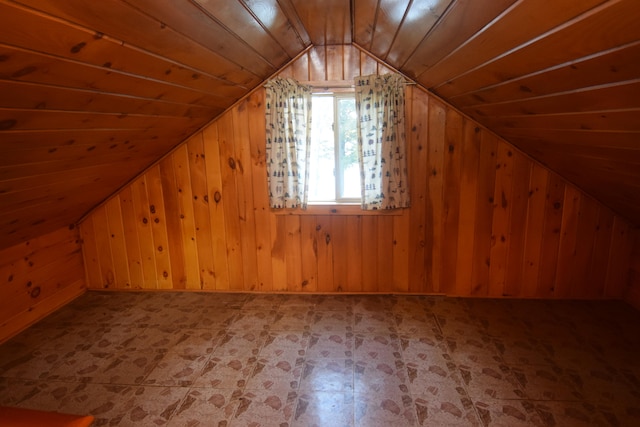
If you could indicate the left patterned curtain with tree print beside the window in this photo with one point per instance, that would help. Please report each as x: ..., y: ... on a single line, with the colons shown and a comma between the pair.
x: 288, y: 116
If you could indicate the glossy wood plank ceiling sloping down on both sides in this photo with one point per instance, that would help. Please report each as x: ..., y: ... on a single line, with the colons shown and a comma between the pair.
x: 92, y: 92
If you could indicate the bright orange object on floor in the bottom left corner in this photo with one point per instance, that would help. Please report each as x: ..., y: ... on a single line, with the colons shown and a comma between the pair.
x: 20, y: 417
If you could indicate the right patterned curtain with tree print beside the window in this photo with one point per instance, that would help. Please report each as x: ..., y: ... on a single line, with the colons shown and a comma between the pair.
x: 381, y: 141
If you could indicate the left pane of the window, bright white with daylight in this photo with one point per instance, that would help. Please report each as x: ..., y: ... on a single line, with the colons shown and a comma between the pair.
x: 322, y: 184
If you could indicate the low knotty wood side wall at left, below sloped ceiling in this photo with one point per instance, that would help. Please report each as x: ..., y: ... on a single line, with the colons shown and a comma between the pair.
x: 37, y: 277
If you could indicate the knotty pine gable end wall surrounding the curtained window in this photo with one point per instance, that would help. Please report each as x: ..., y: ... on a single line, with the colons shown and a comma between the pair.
x: 485, y: 220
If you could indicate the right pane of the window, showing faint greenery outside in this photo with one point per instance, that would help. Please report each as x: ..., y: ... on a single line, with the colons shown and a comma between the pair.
x: 349, y: 170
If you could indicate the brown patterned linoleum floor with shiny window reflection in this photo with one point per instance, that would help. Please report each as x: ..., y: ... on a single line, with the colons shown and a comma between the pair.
x: 203, y: 359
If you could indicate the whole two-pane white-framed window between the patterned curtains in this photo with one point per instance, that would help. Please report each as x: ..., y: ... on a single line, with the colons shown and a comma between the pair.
x: 334, y: 171
